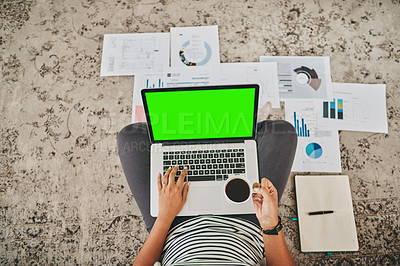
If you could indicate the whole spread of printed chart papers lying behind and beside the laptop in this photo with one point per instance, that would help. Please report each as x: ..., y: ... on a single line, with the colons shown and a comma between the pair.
x: 316, y: 107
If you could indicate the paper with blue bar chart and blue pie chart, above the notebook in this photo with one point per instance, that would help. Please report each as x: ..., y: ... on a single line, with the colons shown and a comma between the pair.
x: 318, y: 139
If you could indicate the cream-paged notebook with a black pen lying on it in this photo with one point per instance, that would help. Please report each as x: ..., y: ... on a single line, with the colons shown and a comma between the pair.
x: 332, y: 231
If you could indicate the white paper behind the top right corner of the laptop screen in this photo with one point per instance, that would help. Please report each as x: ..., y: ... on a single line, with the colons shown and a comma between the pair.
x: 263, y: 74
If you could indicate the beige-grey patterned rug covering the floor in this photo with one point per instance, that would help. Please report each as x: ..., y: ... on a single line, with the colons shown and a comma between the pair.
x: 63, y: 196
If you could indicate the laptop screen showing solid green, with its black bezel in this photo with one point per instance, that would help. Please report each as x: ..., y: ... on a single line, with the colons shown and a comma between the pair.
x: 201, y: 113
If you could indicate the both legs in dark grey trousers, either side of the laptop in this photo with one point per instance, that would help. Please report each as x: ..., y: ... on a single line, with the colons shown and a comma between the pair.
x: 276, y: 143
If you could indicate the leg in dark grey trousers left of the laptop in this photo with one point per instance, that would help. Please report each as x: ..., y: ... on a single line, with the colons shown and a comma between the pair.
x: 134, y: 153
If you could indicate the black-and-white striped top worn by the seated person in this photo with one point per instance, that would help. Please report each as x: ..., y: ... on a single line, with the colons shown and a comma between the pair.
x: 213, y: 240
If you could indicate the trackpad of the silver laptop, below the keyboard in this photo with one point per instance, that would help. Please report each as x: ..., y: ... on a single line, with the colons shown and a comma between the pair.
x: 205, y: 198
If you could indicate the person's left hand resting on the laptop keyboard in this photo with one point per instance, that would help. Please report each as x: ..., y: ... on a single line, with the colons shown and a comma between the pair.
x: 171, y: 196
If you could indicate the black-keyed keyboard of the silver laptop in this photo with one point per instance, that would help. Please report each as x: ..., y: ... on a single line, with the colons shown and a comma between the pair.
x: 206, y: 165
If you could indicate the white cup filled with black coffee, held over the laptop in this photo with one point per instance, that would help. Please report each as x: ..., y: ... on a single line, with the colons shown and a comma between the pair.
x: 237, y: 190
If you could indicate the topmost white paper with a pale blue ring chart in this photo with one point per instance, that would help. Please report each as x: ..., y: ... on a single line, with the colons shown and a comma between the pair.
x: 194, y: 46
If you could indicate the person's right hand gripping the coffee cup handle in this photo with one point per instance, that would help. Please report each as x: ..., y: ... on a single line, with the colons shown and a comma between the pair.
x: 265, y: 201
